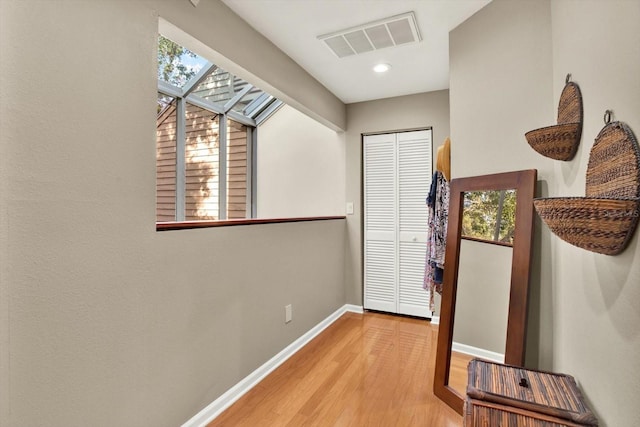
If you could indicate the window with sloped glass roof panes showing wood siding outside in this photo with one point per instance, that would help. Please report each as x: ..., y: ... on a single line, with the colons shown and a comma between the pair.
x: 206, y: 126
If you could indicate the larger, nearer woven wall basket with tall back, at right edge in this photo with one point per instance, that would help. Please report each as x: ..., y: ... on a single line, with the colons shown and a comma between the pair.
x: 604, y: 221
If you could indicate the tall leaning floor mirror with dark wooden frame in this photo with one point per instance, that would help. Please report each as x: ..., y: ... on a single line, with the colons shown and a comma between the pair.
x: 485, y: 288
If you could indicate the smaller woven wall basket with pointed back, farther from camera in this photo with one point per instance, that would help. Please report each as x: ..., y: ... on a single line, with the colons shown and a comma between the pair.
x: 560, y: 142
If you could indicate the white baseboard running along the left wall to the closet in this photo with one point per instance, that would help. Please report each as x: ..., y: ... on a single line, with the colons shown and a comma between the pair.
x: 216, y: 407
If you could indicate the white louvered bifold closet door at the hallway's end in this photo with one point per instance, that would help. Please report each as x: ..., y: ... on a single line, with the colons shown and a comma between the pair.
x: 397, y: 176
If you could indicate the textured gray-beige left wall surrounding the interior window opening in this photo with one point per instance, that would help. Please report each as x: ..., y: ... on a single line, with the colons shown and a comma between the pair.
x: 103, y: 320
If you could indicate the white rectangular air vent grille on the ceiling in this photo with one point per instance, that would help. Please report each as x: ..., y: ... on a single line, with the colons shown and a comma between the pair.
x: 394, y: 31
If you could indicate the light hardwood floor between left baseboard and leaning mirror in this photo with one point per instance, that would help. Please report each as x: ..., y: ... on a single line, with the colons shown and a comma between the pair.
x: 367, y: 369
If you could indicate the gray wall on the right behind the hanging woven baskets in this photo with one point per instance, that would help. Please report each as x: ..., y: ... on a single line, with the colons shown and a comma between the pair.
x: 508, y: 66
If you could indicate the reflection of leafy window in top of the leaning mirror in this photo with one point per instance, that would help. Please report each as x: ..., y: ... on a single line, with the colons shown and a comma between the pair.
x: 489, y: 216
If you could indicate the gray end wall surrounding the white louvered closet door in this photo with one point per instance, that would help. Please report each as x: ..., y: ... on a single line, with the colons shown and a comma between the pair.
x: 390, y: 114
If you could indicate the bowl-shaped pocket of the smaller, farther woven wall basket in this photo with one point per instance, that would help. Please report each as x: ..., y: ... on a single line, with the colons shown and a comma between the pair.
x: 558, y: 142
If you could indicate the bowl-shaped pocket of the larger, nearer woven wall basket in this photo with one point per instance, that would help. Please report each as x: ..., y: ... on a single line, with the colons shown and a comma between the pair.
x: 604, y: 226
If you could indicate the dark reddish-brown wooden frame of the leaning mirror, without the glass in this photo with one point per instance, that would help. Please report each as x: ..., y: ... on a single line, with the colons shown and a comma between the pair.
x: 525, y: 184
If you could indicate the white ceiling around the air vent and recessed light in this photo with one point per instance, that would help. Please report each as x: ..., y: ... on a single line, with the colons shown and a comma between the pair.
x: 294, y: 26
